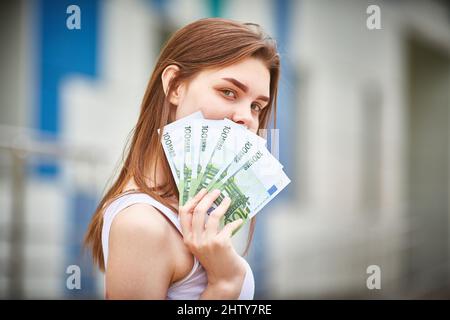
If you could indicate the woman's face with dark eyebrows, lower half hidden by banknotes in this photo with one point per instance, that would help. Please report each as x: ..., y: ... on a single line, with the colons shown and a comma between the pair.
x: 238, y: 92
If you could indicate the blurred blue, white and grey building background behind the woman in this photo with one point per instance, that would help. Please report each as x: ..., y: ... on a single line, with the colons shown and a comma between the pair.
x: 363, y: 128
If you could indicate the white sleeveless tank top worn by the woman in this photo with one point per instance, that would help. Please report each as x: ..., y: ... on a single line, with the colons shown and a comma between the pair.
x: 191, y: 286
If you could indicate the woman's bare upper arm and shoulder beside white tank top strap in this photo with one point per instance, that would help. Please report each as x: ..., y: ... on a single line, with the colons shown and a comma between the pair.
x: 140, y: 261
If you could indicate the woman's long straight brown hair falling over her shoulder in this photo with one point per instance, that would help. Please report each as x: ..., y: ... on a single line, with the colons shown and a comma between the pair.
x: 205, y: 43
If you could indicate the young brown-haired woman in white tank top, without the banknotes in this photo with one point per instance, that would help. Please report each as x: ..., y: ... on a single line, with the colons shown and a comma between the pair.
x: 148, y: 247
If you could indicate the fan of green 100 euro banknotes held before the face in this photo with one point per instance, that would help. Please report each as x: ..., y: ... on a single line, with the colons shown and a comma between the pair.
x: 221, y: 154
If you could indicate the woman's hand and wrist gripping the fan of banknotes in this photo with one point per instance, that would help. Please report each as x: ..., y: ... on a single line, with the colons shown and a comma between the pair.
x: 211, y: 246
